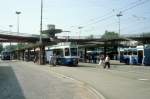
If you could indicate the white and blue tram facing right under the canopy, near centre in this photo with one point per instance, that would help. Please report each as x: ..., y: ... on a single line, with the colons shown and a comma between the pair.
x: 66, y: 53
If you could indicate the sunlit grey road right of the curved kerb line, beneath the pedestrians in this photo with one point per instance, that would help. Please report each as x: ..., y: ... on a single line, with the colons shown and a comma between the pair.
x: 120, y: 82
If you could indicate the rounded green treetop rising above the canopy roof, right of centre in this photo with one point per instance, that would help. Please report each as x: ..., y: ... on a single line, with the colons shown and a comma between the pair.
x: 110, y: 35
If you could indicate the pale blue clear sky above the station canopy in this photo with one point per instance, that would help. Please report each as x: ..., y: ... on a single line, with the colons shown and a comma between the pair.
x: 95, y: 16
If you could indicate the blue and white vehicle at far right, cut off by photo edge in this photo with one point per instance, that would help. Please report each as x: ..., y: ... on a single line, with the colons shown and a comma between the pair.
x: 137, y: 55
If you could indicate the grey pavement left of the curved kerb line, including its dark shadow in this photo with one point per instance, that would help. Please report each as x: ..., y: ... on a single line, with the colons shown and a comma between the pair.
x: 22, y: 80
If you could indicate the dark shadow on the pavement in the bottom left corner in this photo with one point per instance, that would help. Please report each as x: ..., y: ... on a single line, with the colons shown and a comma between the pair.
x: 9, y: 85
